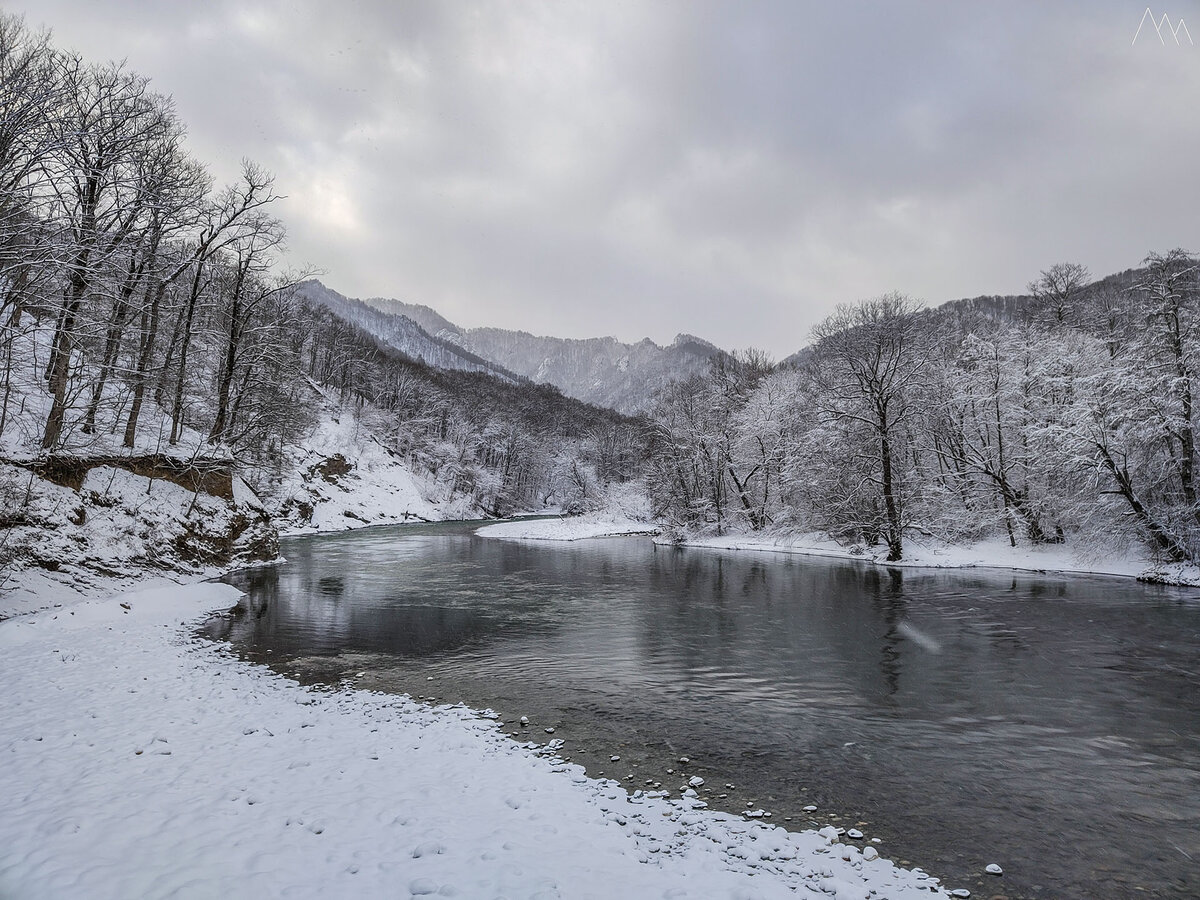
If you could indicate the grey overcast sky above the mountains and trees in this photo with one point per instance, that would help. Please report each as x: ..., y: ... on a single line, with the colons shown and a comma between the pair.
x: 733, y: 170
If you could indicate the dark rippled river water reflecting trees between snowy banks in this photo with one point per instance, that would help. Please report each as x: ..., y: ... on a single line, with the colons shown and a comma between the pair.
x: 1051, y: 725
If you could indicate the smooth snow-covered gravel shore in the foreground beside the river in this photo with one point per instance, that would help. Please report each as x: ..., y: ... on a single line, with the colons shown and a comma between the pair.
x: 139, y: 761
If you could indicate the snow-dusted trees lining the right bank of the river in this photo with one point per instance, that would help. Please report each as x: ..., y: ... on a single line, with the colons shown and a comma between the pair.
x: 1071, y: 415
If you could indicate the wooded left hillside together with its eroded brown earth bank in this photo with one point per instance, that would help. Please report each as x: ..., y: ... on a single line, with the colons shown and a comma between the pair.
x: 154, y: 343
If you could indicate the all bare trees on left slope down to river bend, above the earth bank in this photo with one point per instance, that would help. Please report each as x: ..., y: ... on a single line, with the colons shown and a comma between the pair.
x: 143, y: 308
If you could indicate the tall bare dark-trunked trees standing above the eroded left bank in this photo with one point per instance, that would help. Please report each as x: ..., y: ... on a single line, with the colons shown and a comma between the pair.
x: 125, y: 273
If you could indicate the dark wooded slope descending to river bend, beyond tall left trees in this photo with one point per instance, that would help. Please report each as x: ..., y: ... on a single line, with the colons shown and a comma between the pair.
x: 507, y: 446
